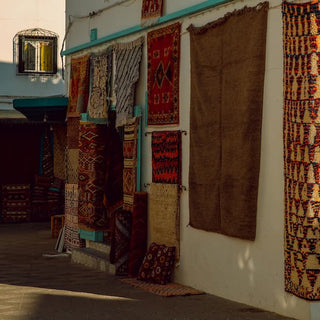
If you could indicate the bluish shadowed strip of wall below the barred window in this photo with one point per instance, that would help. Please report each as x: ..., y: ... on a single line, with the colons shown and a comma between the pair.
x: 12, y: 84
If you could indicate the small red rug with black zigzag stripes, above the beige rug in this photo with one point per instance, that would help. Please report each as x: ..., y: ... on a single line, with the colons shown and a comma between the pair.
x: 166, y: 157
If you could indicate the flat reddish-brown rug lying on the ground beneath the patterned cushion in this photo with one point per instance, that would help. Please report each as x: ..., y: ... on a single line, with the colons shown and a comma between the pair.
x: 168, y: 290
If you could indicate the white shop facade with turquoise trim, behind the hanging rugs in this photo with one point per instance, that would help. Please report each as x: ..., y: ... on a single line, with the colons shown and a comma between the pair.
x: 250, y: 271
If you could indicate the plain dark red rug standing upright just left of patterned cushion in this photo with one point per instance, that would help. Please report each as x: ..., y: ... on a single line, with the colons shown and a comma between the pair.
x: 139, y: 232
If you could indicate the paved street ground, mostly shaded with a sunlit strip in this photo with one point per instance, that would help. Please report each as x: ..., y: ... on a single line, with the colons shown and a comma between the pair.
x: 36, y: 287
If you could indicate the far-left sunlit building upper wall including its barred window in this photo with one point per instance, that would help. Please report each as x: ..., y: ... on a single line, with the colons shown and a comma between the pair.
x: 32, y: 36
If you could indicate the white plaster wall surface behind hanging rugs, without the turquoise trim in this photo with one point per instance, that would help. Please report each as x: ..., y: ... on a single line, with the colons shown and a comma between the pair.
x: 243, y: 271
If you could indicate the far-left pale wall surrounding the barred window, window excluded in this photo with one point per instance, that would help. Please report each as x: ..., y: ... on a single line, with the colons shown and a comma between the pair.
x: 15, y: 16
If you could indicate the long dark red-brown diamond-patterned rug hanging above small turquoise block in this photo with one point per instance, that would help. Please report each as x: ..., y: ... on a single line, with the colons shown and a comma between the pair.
x: 91, y: 174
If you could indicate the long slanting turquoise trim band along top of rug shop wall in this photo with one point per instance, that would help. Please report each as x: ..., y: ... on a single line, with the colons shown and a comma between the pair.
x: 135, y: 29
